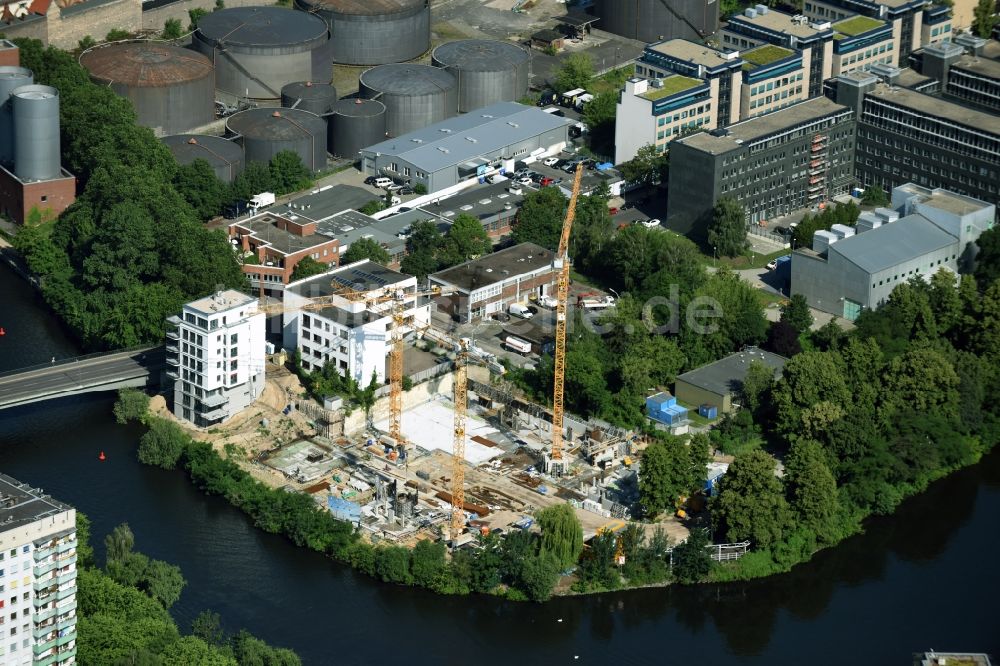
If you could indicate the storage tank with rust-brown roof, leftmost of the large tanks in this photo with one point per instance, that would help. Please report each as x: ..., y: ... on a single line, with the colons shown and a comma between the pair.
x: 172, y: 89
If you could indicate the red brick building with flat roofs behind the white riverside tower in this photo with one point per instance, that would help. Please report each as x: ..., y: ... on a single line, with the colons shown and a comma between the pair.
x: 271, y: 246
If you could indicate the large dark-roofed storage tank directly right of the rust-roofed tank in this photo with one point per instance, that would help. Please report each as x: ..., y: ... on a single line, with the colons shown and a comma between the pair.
x: 257, y: 50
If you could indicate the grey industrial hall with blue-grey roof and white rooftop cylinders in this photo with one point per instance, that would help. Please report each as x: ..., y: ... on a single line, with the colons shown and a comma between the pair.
x: 849, y: 270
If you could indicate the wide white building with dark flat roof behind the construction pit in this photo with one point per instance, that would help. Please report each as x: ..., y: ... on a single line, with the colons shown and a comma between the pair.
x: 352, y: 333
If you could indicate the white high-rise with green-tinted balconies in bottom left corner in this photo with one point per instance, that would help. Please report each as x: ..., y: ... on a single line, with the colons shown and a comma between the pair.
x: 37, y: 577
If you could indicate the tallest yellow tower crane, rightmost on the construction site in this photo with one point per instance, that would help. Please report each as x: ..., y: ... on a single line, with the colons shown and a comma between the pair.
x: 556, y: 464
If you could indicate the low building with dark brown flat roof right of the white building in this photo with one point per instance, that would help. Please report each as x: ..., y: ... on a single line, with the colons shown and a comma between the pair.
x: 492, y: 283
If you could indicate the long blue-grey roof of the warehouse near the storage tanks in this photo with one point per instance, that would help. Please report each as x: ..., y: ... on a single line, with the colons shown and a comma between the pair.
x: 469, y: 136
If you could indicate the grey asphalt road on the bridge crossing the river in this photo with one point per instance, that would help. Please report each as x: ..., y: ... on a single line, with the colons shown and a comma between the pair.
x: 69, y: 375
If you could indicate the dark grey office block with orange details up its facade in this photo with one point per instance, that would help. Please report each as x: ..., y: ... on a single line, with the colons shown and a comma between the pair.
x: 774, y: 164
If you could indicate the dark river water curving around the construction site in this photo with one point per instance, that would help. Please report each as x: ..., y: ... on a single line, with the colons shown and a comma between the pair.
x: 924, y: 578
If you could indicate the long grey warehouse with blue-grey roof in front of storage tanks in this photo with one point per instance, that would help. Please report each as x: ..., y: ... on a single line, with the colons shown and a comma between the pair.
x: 468, y: 147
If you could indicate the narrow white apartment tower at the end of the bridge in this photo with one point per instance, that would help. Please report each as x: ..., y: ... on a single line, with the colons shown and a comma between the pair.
x: 216, y: 355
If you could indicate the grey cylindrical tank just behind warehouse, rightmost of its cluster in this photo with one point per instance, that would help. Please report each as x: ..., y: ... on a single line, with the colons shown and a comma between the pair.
x: 488, y: 71
